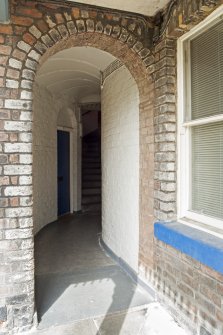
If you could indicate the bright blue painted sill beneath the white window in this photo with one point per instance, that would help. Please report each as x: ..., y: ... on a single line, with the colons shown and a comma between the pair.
x: 203, y: 247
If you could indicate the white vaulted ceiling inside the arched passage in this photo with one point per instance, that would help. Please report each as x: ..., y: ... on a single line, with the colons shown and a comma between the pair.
x: 75, y: 72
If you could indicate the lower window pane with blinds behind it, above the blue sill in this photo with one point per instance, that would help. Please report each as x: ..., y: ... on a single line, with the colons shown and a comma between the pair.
x: 207, y: 170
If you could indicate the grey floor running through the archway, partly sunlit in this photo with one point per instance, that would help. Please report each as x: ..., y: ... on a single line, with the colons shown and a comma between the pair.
x: 79, y: 289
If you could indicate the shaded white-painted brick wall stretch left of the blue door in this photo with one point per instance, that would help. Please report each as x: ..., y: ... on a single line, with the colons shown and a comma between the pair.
x: 44, y: 158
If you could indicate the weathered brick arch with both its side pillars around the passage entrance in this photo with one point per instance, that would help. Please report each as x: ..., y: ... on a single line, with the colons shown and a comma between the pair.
x: 36, y: 34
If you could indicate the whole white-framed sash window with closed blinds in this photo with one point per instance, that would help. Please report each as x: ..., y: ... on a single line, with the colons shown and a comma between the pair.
x: 200, y: 87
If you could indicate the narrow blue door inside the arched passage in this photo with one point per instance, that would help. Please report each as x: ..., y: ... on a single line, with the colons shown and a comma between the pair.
x: 63, y: 171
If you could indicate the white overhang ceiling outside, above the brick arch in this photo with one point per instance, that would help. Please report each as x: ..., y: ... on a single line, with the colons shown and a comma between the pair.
x: 145, y: 7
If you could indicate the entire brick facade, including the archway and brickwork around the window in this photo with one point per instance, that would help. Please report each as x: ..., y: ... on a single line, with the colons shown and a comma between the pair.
x: 39, y: 29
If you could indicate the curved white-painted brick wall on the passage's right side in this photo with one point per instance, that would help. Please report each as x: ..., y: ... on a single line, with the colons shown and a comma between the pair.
x: 120, y: 166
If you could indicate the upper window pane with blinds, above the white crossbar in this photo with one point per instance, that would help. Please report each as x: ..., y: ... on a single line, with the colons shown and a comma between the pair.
x: 207, y: 73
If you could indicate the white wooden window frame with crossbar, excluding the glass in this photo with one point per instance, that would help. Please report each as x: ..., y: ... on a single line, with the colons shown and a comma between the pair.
x: 186, y: 216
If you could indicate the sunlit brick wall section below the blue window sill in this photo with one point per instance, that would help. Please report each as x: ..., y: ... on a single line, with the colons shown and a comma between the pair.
x: 192, y: 292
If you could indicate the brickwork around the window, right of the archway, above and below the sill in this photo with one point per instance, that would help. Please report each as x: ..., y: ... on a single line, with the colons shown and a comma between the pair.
x: 191, y: 291
